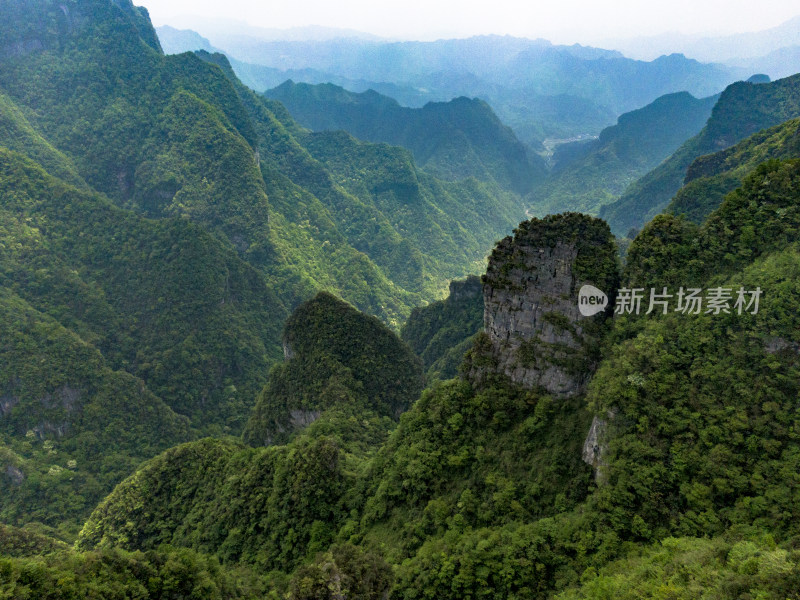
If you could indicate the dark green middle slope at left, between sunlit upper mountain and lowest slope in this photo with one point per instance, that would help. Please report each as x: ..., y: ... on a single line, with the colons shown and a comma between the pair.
x: 163, y: 300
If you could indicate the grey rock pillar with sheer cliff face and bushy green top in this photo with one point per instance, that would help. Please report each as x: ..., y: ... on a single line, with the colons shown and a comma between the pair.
x: 534, y: 332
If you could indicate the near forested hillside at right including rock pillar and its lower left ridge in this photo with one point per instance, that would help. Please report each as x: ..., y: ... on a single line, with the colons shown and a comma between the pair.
x: 481, y: 491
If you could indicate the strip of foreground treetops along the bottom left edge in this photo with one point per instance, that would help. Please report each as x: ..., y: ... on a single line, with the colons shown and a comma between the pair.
x: 34, y: 566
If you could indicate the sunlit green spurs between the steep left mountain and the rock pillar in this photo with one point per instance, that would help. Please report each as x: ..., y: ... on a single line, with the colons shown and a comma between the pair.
x: 420, y: 231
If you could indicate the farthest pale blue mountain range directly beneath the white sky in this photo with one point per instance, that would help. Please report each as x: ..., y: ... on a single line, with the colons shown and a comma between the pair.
x: 538, y: 89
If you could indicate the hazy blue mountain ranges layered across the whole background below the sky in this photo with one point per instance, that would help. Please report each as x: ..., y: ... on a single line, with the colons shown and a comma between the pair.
x: 542, y: 91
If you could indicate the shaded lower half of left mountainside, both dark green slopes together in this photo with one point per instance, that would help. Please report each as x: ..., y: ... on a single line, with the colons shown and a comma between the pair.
x: 114, y: 326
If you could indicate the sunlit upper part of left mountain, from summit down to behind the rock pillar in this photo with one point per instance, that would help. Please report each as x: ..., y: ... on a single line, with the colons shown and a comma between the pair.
x: 177, y: 136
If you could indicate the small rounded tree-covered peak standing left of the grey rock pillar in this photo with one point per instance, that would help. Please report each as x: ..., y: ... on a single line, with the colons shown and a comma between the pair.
x: 337, y: 358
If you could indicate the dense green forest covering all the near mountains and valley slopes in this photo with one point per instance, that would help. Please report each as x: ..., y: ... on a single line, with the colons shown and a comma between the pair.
x: 250, y: 349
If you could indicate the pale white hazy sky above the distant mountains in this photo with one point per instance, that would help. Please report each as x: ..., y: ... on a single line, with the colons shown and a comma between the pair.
x: 558, y: 20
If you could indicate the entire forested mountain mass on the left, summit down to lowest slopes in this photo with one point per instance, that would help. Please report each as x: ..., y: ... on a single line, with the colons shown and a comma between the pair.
x: 158, y: 226
